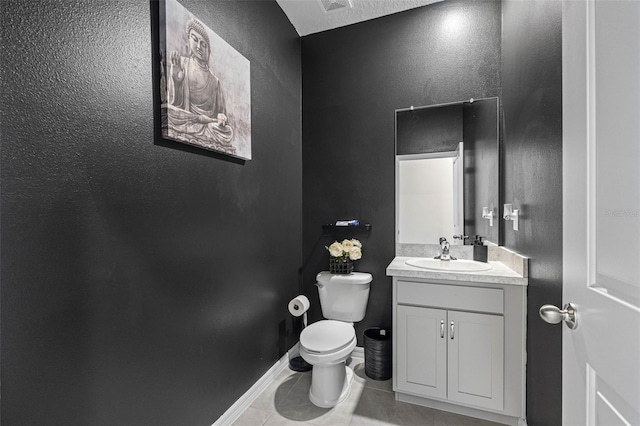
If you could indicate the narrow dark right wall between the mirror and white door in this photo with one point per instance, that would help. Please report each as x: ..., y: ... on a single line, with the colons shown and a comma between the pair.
x: 532, y: 176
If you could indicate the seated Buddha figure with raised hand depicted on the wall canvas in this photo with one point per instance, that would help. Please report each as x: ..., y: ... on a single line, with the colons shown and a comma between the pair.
x: 196, y: 110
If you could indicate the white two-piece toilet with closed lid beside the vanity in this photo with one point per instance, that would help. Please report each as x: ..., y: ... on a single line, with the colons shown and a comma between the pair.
x: 327, y: 344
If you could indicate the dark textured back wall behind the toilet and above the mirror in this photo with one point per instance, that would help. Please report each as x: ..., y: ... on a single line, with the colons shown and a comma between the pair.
x: 354, y: 79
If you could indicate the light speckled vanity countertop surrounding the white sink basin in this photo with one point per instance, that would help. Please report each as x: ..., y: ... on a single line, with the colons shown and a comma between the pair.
x: 498, y: 274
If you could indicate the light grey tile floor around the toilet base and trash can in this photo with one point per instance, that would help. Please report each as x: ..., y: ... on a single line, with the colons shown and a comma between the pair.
x: 371, y: 403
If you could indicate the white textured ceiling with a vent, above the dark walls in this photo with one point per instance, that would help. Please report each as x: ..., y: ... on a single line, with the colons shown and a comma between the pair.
x: 309, y: 16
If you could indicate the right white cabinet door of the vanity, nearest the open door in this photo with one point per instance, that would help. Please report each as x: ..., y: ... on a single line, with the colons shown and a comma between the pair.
x: 476, y: 359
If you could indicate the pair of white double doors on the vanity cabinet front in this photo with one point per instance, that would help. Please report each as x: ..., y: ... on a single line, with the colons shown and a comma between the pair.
x: 451, y: 355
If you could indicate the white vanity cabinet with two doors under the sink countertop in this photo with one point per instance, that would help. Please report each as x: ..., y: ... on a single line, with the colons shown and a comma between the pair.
x: 459, y: 346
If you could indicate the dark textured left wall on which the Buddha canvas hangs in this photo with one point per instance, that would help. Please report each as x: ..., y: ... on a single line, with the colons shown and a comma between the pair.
x: 142, y: 283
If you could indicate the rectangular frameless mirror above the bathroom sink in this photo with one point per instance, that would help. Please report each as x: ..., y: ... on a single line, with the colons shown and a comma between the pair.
x: 447, y: 166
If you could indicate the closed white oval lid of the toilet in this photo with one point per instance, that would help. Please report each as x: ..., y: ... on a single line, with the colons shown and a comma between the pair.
x: 327, y: 336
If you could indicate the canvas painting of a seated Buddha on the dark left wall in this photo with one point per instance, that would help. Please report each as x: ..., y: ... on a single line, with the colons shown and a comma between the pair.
x: 205, y: 84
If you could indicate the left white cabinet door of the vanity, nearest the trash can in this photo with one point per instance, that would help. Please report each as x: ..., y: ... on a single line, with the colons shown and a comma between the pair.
x: 422, y: 351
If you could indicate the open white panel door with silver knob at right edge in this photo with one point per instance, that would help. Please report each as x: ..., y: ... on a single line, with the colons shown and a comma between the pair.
x: 601, y: 211
